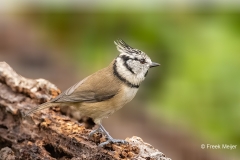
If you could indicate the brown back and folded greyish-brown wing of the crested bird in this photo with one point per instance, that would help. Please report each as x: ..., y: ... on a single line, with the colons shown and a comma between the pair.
x: 95, y: 88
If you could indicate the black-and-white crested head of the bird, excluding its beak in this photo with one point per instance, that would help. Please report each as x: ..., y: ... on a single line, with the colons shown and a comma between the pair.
x: 132, y: 64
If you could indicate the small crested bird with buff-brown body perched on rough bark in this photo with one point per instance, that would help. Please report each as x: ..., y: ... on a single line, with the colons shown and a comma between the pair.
x: 107, y: 90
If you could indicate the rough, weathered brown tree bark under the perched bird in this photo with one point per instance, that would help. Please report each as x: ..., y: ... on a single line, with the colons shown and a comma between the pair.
x: 48, y: 134
